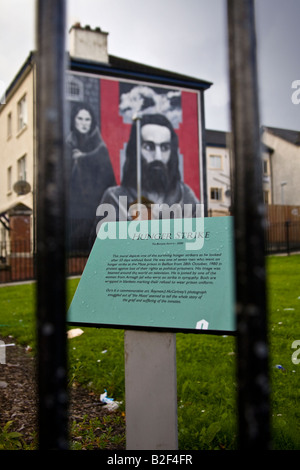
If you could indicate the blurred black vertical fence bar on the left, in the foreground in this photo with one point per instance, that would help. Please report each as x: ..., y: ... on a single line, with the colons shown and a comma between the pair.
x: 51, y: 291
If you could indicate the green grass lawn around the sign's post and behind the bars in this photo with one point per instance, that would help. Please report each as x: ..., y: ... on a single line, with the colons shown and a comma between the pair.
x: 206, y: 384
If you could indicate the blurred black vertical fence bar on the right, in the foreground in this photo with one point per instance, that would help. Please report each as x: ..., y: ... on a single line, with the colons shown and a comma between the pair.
x: 252, y: 363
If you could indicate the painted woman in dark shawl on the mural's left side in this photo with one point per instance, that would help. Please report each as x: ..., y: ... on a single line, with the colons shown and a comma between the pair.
x: 91, y: 172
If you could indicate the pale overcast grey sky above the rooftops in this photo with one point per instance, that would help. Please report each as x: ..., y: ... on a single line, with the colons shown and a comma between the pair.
x: 186, y: 36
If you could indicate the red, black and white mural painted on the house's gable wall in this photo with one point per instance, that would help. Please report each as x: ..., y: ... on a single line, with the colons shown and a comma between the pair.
x: 101, y: 145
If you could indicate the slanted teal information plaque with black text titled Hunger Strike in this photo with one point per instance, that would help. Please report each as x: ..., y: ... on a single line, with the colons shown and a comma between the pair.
x: 169, y: 274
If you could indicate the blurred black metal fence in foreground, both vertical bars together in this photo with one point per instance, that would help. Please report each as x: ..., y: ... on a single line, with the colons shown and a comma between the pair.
x: 253, y: 388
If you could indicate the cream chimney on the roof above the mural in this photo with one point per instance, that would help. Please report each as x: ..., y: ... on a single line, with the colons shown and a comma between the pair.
x: 89, y: 44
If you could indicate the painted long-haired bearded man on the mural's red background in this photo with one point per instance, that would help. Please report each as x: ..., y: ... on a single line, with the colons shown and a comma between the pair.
x: 160, y: 177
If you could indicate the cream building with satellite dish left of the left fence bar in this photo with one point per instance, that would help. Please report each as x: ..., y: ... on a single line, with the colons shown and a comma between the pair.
x: 17, y: 144
